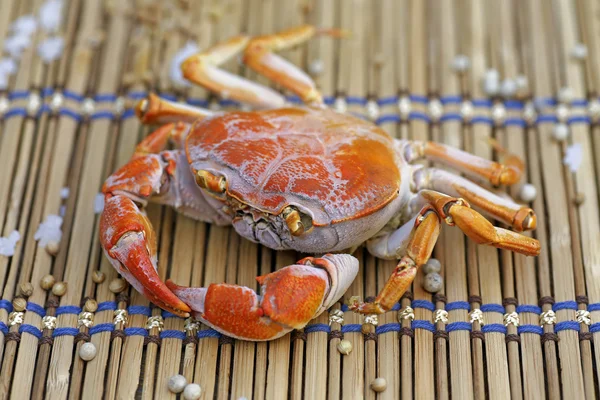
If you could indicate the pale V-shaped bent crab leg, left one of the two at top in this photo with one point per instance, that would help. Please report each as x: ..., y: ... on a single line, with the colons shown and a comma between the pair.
x: 203, y: 70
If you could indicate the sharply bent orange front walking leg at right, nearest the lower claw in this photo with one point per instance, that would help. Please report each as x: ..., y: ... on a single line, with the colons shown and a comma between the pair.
x: 418, y: 243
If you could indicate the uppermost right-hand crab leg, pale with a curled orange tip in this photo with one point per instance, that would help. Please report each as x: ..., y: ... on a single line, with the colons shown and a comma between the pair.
x: 507, y: 173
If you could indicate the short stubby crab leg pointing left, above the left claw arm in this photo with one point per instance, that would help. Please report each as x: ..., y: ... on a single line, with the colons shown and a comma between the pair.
x: 156, y: 110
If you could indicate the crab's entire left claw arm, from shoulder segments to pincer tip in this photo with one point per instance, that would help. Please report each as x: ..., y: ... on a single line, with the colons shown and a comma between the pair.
x: 126, y: 235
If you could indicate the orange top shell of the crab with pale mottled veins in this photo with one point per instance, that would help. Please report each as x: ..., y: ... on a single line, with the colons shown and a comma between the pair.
x: 338, y: 166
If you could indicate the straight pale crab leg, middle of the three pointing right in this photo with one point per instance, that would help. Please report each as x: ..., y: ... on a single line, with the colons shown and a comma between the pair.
x: 520, y: 218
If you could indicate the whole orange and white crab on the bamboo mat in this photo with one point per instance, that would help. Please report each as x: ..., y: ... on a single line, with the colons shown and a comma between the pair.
x: 305, y: 178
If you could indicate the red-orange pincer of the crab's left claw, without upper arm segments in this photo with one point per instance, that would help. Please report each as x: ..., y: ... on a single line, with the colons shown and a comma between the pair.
x: 129, y: 243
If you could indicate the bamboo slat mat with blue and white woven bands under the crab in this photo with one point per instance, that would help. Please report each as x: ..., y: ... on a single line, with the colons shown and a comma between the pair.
x: 395, y: 69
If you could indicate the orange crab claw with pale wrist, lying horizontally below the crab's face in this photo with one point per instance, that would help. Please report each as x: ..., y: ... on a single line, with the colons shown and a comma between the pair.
x: 289, y: 299
